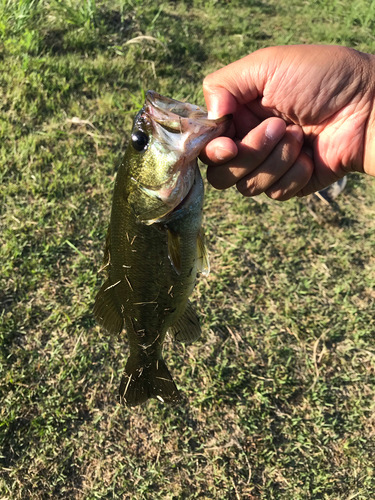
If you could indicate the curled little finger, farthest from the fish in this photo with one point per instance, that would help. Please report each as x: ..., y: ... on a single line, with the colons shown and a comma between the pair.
x: 293, y: 180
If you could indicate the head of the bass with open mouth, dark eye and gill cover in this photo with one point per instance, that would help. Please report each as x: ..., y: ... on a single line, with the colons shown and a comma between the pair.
x: 167, y: 137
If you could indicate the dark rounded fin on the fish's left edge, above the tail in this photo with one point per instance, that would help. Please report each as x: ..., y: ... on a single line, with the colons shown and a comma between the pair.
x: 106, y: 310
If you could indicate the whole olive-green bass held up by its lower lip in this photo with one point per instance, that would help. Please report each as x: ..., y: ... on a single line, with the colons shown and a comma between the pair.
x: 155, y: 244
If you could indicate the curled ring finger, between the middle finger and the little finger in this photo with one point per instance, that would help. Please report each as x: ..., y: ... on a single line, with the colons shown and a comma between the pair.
x: 277, y: 163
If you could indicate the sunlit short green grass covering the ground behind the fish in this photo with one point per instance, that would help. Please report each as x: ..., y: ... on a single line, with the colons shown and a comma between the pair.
x: 279, y: 393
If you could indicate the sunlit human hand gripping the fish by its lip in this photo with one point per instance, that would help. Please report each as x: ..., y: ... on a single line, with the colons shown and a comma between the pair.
x: 303, y: 117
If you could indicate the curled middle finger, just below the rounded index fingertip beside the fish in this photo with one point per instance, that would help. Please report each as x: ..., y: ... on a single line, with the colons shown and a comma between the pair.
x: 252, y: 151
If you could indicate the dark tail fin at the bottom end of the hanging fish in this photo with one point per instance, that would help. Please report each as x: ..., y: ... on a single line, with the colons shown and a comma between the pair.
x: 142, y: 382
